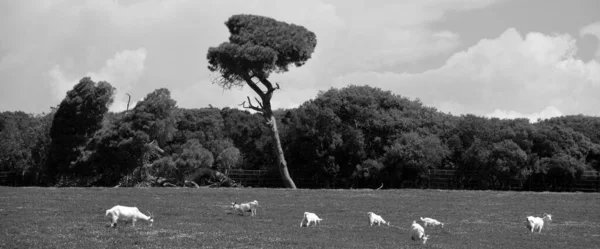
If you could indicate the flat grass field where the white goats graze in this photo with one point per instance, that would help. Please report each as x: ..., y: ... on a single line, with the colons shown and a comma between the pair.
x: 200, y: 218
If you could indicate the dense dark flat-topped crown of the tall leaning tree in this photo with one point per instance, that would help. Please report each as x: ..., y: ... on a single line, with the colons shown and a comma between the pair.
x: 259, y: 46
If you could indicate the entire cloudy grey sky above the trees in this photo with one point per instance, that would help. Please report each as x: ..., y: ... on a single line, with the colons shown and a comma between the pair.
x: 501, y: 58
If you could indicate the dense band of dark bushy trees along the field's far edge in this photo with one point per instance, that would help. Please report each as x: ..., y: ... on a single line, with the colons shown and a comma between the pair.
x: 359, y: 136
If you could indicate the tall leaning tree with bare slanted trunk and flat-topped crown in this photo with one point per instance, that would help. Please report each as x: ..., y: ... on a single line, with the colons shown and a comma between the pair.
x: 257, y: 47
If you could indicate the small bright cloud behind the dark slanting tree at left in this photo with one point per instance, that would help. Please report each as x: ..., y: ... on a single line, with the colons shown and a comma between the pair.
x: 122, y: 71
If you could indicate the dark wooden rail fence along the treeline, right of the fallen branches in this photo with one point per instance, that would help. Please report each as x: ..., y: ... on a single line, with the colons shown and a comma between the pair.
x: 439, y: 179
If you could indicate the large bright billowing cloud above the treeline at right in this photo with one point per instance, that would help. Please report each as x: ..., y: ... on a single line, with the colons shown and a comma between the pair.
x: 511, y: 73
